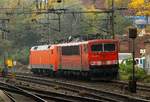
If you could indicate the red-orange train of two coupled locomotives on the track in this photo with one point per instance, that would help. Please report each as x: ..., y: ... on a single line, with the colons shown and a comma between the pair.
x: 93, y: 58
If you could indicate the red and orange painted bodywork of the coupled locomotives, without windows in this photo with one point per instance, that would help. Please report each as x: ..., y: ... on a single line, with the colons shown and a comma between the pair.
x: 53, y: 56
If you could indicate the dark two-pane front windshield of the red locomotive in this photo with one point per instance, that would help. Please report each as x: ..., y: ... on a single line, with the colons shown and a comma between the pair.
x: 103, y: 47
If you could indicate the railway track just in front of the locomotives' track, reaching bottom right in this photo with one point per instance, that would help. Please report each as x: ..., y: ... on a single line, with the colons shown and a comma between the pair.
x: 88, y: 92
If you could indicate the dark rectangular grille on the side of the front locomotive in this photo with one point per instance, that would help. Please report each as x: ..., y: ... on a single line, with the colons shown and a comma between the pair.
x: 70, y: 50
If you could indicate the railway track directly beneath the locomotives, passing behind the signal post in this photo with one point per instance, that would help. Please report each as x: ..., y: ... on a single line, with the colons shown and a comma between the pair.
x: 122, y: 85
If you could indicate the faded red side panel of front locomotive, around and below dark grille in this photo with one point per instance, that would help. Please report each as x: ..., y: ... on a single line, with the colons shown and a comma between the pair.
x: 75, y: 62
